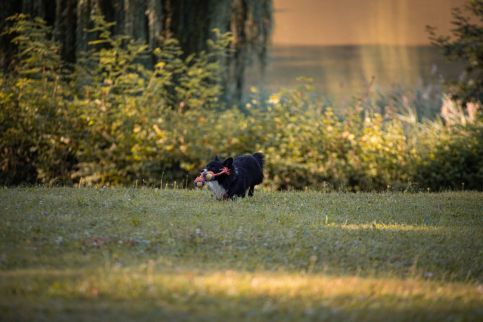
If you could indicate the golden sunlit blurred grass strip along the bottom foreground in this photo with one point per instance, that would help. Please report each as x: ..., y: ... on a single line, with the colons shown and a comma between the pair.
x: 230, y: 296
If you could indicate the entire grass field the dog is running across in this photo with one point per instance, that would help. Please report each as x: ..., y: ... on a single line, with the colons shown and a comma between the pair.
x: 89, y: 254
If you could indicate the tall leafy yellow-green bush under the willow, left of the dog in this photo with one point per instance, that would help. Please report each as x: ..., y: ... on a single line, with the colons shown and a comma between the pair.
x: 125, y: 108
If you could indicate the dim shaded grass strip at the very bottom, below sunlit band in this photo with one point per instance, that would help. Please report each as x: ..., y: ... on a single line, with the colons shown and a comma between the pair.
x: 228, y: 310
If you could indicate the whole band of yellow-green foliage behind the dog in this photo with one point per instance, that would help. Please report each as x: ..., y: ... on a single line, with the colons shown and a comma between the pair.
x: 109, y: 120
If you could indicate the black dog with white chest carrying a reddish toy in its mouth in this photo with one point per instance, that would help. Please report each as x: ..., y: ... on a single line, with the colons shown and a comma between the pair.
x: 233, y: 177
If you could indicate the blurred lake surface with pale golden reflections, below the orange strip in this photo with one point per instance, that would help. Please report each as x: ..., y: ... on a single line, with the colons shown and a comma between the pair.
x: 341, y: 73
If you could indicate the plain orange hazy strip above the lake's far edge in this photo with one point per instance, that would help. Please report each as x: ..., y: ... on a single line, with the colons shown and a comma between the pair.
x: 336, y: 22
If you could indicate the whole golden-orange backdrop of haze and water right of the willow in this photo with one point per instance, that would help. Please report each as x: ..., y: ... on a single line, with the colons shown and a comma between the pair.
x: 351, y: 47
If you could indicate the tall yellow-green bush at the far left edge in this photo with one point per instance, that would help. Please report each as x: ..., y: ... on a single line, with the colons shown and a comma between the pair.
x: 35, y: 117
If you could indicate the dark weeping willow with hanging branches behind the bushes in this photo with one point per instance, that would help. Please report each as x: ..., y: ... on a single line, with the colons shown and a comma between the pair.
x: 189, y: 21
